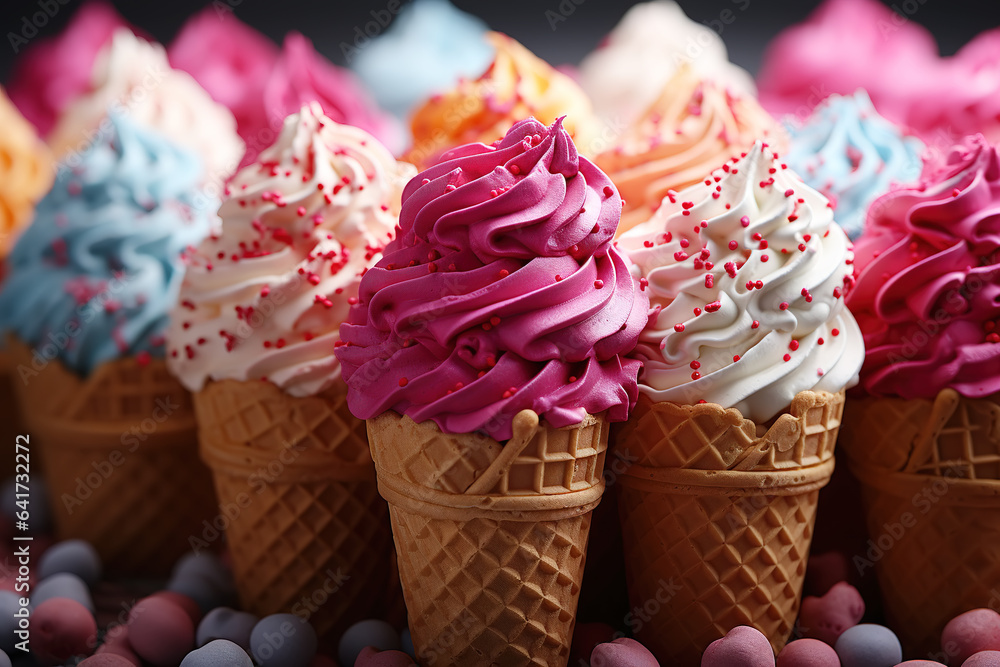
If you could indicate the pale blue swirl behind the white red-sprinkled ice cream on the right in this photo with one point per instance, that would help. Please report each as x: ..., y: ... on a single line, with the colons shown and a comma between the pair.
x: 852, y: 155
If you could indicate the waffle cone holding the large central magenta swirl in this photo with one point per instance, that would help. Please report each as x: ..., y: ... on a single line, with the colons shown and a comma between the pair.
x: 491, y: 539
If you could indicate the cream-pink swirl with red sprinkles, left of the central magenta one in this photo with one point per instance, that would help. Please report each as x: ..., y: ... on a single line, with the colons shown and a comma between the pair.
x: 263, y: 299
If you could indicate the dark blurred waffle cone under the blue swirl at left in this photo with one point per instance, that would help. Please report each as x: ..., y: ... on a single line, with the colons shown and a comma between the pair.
x: 120, y: 454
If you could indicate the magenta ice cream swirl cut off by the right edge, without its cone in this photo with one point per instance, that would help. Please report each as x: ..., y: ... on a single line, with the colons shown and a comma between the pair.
x: 928, y: 280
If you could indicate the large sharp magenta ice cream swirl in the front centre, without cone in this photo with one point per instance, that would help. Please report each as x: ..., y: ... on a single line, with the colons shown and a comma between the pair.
x: 501, y: 292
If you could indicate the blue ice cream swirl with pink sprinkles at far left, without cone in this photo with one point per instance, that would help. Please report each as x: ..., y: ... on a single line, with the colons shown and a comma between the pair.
x: 93, y: 277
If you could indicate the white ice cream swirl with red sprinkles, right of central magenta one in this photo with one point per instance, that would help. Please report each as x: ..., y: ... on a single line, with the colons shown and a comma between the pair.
x: 747, y: 273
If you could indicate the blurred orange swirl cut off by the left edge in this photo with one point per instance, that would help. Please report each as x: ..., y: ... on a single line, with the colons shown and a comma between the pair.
x: 25, y: 172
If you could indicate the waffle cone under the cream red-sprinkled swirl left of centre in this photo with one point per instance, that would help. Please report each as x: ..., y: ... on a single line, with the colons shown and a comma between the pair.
x: 306, y: 528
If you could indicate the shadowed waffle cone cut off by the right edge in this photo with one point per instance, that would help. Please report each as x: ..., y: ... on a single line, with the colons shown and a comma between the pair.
x: 930, y: 477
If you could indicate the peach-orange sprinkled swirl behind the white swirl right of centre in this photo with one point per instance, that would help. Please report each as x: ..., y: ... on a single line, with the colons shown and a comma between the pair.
x: 692, y: 128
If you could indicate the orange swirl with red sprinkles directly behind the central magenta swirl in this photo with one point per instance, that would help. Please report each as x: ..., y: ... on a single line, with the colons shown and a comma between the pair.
x: 518, y: 84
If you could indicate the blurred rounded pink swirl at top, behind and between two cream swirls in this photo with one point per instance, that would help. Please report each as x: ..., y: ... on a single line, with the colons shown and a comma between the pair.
x: 231, y: 61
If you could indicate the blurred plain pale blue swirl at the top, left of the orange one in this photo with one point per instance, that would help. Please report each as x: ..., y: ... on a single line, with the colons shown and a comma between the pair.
x: 425, y: 51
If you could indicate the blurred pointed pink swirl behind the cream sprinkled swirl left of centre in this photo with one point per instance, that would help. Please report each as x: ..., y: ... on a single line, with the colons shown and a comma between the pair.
x: 302, y: 75
